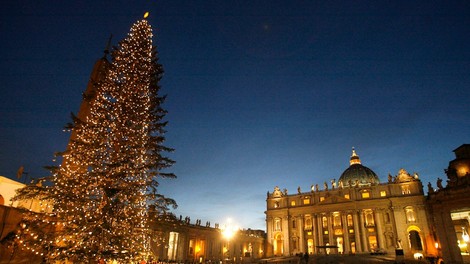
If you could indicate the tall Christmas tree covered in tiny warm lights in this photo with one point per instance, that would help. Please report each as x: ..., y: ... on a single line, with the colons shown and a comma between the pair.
x: 97, y: 204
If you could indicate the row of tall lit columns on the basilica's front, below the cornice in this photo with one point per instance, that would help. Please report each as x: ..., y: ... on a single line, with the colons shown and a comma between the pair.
x: 354, y: 236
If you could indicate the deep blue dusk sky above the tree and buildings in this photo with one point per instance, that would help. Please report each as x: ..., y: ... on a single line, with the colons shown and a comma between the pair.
x: 260, y: 93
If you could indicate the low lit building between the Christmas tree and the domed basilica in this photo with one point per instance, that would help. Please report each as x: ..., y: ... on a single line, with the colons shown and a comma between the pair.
x: 180, y: 241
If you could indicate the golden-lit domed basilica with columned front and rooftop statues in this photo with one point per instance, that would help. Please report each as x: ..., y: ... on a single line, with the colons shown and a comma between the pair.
x: 357, y: 214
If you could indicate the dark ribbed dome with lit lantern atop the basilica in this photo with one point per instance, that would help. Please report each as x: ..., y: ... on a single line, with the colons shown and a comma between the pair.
x: 357, y: 174
